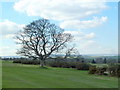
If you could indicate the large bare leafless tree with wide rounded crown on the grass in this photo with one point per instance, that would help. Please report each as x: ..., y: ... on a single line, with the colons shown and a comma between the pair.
x: 40, y: 39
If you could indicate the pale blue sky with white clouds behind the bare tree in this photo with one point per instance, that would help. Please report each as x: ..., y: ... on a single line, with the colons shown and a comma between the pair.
x: 94, y: 25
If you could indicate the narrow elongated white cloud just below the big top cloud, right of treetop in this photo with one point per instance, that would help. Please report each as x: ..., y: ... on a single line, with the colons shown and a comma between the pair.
x: 77, y: 24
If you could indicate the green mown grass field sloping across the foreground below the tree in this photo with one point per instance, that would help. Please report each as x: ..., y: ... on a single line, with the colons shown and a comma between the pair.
x: 31, y: 76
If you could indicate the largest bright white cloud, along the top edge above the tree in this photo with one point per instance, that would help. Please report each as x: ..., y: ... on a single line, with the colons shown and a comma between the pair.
x: 60, y: 9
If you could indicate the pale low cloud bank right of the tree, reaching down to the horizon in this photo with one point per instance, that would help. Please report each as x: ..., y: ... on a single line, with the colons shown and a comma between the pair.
x: 86, y: 44
